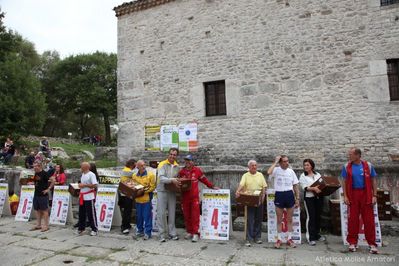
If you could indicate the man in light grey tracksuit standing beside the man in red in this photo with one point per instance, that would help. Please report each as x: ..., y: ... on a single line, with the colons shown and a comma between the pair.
x: 168, y: 171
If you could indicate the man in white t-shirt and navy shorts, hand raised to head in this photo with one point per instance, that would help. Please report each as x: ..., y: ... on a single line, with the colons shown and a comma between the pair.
x: 285, y: 184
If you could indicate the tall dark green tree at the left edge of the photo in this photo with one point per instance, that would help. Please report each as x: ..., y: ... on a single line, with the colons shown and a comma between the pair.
x: 22, y: 104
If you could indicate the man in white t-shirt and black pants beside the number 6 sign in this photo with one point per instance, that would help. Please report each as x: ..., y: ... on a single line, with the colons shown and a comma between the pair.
x: 88, y: 184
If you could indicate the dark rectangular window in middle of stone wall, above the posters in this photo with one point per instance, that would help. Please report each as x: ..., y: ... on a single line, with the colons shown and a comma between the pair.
x: 215, y: 98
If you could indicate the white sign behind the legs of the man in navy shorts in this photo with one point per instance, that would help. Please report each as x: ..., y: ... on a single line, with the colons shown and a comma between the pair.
x: 272, y: 222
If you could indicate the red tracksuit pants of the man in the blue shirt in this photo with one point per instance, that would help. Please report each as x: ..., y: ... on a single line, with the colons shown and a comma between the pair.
x: 358, y: 208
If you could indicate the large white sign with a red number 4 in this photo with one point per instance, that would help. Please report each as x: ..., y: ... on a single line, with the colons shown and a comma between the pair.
x: 215, y: 220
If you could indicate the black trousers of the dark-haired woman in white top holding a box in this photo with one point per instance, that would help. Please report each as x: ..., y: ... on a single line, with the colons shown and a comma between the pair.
x: 313, y: 207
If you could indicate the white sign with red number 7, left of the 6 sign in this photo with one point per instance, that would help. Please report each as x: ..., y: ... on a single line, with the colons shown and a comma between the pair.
x: 59, y: 209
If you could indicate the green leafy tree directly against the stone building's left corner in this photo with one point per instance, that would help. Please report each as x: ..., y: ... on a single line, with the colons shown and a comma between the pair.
x: 85, y: 85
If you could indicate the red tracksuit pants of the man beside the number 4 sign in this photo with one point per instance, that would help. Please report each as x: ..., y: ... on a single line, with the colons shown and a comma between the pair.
x: 191, y: 213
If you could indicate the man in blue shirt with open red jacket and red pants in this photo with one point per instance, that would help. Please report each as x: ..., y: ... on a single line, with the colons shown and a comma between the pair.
x: 360, y: 194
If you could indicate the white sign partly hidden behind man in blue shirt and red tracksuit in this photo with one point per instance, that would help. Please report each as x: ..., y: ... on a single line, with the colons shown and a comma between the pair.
x: 344, y: 224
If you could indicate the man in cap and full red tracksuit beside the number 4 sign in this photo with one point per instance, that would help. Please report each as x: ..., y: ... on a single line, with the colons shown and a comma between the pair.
x: 190, y: 199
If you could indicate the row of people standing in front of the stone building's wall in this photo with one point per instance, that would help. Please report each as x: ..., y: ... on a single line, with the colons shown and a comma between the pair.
x: 358, y: 181
